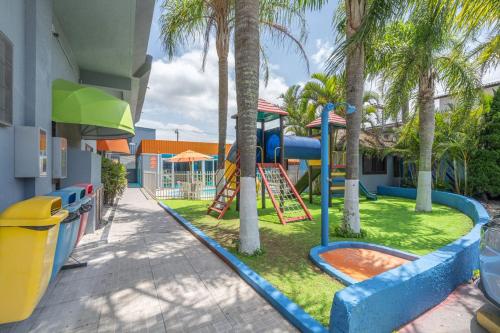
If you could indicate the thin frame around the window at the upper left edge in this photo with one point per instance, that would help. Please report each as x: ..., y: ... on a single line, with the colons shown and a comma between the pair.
x: 9, y: 75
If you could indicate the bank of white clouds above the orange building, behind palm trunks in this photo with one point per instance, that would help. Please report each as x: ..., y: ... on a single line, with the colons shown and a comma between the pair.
x: 182, y: 96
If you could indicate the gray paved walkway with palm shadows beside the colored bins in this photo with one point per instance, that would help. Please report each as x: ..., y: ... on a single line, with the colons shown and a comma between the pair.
x: 151, y: 276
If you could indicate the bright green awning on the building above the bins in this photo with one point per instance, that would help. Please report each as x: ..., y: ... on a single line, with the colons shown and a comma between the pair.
x: 99, y: 114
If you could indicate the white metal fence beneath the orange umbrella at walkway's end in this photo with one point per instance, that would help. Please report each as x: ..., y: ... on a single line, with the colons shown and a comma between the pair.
x: 181, y: 185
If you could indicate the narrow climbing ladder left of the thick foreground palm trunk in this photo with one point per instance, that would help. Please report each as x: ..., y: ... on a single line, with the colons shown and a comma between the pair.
x: 226, y: 195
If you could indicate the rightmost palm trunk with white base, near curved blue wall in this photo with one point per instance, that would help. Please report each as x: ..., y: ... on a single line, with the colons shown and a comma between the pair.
x: 426, y: 133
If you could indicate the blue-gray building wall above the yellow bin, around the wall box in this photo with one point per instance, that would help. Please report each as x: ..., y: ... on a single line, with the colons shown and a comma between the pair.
x: 38, y: 60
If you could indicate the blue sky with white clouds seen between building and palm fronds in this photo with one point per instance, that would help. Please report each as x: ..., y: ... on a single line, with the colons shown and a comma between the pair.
x: 181, y: 96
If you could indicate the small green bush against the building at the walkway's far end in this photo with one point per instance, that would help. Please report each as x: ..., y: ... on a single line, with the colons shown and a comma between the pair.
x: 114, y: 179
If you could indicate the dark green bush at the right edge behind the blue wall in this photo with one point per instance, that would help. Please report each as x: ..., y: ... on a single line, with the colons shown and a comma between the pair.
x: 485, y: 166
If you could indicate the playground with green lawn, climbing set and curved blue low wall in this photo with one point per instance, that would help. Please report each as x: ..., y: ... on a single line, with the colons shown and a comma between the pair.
x: 306, y: 254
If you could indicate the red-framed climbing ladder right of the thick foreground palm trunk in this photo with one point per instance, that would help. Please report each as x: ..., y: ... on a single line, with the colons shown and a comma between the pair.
x: 285, y: 198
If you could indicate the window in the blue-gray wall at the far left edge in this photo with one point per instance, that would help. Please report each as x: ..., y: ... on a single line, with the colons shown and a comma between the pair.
x: 5, y: 80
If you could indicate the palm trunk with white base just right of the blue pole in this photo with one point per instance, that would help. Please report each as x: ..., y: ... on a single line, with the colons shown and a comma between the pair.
x: 355, y: 79
